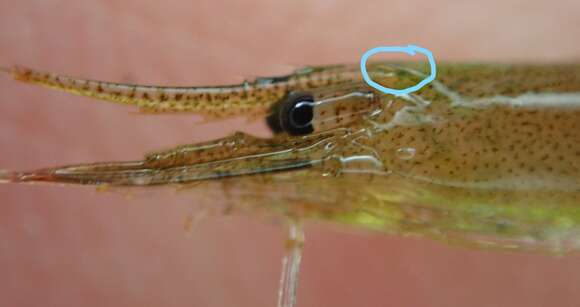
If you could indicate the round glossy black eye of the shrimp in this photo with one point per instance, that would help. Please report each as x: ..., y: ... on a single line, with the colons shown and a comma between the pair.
x: 293, y: 114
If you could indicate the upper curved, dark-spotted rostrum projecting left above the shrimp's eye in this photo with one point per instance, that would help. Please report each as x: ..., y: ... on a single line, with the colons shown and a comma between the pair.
x: 249, y: 99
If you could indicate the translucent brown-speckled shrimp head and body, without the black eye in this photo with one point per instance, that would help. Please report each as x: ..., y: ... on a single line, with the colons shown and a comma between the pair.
x: 487, y: 155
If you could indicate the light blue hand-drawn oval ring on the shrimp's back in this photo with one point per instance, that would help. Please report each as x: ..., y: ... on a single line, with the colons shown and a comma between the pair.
x: 410, y: 50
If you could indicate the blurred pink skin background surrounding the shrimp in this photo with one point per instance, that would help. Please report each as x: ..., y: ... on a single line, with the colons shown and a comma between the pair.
x: 75, y: 247
